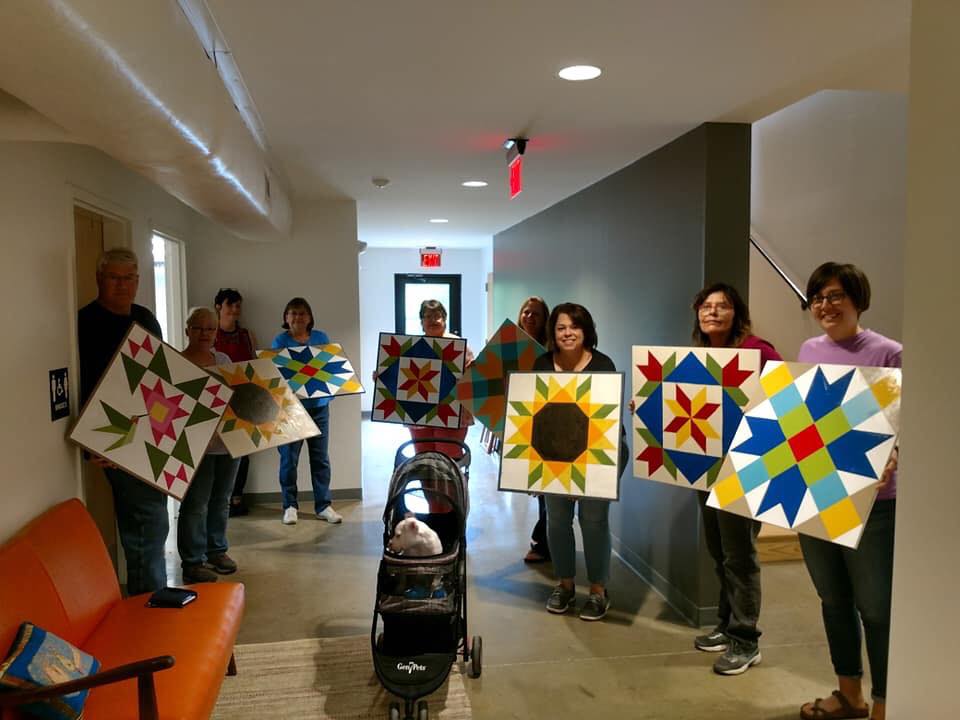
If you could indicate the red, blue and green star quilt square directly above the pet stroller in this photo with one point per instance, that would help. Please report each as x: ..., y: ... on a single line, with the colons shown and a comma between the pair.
x: 417, y: 380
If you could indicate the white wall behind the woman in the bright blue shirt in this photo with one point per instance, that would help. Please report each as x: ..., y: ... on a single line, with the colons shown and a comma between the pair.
x: 318, y: 263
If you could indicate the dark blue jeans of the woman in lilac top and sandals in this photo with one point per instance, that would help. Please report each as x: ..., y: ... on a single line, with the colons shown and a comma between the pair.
x: 855, y: 586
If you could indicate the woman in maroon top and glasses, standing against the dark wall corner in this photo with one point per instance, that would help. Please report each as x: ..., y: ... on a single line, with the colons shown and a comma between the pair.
x: 722, y: 320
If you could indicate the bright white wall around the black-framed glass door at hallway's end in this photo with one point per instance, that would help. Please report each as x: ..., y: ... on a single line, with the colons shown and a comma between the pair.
x: 377, y: 268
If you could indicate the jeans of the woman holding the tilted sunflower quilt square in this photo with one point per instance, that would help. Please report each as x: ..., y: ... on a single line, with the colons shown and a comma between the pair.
x: 202, y: 528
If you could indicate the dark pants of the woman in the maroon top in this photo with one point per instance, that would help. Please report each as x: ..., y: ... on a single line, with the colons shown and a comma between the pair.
x: 732, y: 542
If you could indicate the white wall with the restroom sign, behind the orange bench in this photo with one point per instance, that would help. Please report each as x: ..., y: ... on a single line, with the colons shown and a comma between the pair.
x: 39, y: 183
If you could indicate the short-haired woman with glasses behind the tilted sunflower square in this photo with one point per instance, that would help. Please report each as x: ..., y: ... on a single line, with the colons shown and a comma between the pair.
x: 202, y: 526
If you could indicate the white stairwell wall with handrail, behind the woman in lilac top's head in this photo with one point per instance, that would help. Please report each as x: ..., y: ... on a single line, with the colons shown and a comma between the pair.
x: 829, y: 183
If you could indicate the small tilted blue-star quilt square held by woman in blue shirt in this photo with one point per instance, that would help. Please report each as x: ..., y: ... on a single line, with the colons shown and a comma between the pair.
x: 318, y: 371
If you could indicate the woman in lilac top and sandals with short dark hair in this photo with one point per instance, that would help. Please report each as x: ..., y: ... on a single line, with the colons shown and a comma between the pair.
x: 854, y: 585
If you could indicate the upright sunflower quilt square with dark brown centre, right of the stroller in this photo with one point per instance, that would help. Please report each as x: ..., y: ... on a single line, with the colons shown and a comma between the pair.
x: 562, y: 434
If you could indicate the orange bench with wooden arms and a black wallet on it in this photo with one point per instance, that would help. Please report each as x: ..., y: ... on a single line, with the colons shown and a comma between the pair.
x: 56, y: 574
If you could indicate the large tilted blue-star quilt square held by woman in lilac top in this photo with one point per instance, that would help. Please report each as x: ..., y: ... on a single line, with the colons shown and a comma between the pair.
x: 809, y: 454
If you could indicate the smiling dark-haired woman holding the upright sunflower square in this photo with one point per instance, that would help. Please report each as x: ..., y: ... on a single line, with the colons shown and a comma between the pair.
x: 572, y: 343
